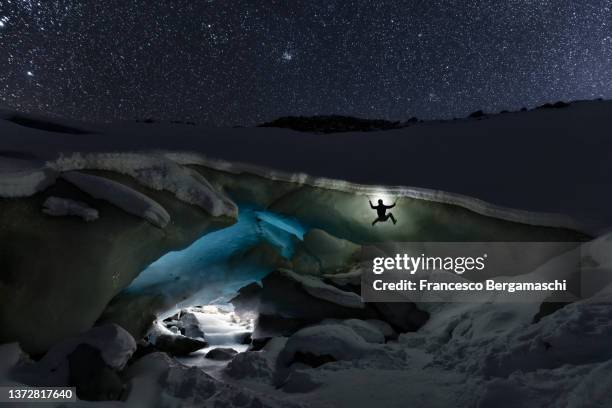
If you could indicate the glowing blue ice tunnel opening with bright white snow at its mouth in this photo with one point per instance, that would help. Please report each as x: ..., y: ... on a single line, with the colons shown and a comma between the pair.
x: 210, y: 271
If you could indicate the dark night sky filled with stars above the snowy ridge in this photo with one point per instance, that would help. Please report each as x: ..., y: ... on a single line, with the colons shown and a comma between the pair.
x: 234, y: 62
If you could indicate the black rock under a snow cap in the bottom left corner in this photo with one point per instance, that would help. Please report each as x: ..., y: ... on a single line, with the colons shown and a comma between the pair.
x: 93, y: 378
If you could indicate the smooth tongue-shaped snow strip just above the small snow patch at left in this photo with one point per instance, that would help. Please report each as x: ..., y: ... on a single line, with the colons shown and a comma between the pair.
x: 121, y: 196
